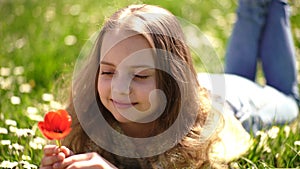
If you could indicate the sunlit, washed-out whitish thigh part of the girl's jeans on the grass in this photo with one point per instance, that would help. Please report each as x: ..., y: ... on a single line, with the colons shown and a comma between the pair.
x: 256, y: 107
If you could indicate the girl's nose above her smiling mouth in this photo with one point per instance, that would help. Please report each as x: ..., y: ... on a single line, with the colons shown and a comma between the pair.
x: 121, y: 84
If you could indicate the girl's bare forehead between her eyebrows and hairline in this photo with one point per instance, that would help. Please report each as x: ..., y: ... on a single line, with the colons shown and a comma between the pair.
x: 118, y: 45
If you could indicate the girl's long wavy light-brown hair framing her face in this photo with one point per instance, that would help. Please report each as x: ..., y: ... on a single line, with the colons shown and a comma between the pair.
x: 163, y: 32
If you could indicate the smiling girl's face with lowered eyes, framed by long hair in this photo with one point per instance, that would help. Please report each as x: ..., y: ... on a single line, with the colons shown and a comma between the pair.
x: 127, y: 79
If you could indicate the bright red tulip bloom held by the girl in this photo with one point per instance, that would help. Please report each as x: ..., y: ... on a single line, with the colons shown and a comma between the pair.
x: 56, y: 125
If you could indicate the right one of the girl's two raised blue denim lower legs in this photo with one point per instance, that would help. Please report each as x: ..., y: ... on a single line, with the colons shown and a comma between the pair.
x: 277, y: 50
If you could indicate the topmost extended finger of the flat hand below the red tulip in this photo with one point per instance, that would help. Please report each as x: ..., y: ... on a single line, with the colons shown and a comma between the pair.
x: 72, y: 159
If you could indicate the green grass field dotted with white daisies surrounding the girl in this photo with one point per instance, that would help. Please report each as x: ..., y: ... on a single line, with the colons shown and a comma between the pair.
x: 41, y: 40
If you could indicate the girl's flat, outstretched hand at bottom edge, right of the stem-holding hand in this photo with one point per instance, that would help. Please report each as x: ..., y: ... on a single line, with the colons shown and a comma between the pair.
x: 87, y: 160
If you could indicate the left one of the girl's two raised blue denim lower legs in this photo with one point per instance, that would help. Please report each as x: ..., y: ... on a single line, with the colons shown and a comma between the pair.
x: 242, y: 51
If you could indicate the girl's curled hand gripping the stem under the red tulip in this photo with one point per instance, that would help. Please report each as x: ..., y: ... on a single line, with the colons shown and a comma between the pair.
x: 53, y: 155
